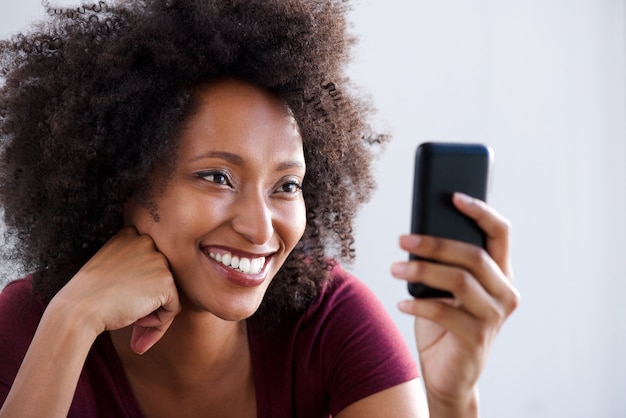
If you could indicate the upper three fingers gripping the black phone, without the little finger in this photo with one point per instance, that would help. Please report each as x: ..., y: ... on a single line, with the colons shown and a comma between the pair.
x: 480, y: 279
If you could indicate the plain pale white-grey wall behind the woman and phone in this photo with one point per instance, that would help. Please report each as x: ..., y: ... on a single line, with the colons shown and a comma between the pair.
x: 542, y: 82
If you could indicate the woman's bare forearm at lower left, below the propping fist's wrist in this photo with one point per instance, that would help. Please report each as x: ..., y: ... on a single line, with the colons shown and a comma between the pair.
x: 47, y: 379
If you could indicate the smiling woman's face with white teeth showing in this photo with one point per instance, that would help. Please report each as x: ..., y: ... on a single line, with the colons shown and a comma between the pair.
x: 233, y: 209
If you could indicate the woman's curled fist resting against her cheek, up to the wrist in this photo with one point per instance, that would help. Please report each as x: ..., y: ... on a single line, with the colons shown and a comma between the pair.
x: 127, y: 282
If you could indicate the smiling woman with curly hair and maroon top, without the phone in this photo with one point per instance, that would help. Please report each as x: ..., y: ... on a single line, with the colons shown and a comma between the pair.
x: 181, y: 178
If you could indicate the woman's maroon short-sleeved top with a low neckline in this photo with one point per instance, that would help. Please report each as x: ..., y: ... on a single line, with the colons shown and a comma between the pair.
x: 343, y: 348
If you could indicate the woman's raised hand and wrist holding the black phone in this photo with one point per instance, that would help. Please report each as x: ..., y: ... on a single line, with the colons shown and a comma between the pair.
x: 454, y: 336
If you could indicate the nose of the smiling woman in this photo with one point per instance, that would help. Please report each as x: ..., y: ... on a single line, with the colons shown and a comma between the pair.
x: 253, y: 217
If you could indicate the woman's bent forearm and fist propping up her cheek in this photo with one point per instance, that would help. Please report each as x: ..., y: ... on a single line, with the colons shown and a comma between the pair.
x: 126, y: 282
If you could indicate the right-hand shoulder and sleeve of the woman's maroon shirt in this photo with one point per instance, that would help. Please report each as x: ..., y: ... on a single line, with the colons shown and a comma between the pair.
x: 343, y: 348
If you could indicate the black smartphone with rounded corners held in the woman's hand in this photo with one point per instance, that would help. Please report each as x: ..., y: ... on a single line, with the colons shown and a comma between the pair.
x: 440, y: 170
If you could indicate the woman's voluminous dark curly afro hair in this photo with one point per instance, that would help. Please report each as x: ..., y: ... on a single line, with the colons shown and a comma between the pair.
x: 93, y: 100
